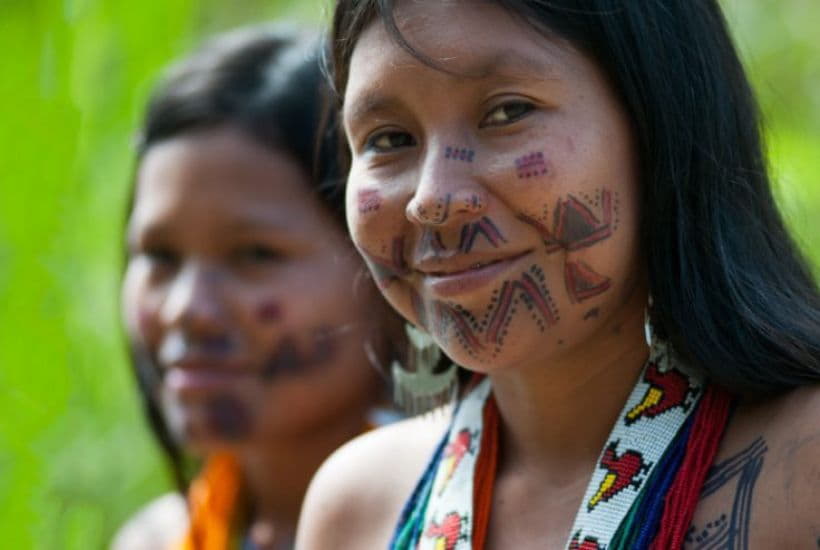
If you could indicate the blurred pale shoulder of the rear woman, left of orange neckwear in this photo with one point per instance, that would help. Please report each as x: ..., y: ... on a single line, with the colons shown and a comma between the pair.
x: 158, y: 524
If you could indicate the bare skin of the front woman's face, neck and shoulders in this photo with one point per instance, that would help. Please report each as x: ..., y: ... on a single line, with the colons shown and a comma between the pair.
x: 545, y: 371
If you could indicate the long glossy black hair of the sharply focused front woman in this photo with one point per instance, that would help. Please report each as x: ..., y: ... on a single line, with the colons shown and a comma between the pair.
x: 730, y: 289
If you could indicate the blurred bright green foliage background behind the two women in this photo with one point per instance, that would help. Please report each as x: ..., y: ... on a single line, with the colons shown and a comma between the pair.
x: 76, y: 458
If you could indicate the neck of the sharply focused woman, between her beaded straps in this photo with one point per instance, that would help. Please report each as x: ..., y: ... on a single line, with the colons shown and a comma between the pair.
x: 555, y: 418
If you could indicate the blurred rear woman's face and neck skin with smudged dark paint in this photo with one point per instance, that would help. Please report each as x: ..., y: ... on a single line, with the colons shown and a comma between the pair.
x: 238, y: 287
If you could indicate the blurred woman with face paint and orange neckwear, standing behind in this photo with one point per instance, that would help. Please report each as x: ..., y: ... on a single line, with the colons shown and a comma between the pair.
x: 242, y: 295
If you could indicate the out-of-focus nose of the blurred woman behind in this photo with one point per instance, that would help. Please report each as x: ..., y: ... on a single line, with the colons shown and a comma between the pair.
x: 195, y: 300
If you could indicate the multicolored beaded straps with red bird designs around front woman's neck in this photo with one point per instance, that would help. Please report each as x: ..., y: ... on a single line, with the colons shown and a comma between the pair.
x: 651, y: 458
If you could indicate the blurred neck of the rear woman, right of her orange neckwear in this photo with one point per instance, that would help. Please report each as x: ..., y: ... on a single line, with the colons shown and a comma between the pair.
x: 277, y: 475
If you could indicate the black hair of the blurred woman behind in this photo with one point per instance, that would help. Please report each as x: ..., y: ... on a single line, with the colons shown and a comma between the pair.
x: 266, y: 82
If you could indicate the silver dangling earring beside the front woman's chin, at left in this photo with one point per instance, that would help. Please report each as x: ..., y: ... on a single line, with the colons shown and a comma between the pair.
x: 422, y: 389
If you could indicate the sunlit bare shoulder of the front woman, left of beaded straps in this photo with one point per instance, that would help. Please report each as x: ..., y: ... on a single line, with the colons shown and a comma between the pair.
x: 357, y: 495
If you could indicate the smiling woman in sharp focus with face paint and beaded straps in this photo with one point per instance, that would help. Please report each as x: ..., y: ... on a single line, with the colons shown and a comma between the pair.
x: 574, y: 206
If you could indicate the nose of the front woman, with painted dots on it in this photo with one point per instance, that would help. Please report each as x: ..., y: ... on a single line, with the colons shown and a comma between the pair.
x: 447, y: 190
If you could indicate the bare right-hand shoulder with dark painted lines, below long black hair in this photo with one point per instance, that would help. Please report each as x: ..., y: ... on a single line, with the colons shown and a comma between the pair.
x: 764, y: 489
